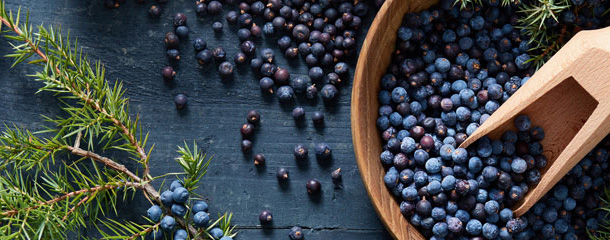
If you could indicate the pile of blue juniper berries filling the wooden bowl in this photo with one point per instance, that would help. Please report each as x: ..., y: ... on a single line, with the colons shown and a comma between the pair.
x: 451, y: 70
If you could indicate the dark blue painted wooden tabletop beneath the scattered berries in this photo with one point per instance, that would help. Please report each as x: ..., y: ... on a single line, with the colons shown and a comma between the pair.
x: 130, y: 44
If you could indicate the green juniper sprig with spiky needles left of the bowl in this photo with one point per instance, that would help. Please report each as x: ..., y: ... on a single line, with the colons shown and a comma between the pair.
x: 53, y: 181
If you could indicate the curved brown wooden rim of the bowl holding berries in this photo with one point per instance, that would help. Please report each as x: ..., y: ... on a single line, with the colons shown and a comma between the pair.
x: 374, y: 59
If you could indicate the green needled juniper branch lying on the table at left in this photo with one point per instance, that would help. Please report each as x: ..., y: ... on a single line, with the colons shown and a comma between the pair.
x: 102, y: 115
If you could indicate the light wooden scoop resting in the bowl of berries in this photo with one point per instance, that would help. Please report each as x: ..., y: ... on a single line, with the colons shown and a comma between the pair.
x: 569, y: 97
